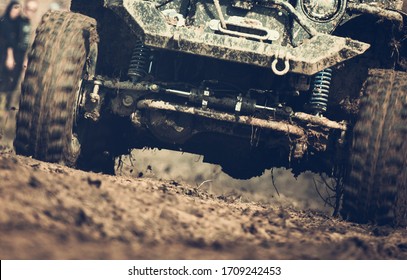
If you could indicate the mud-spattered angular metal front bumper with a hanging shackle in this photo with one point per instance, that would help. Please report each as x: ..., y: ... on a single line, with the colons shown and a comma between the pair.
x: 313, y: 55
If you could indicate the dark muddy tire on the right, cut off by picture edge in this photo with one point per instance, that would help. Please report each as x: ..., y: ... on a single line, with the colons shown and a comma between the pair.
x: 376, y: 190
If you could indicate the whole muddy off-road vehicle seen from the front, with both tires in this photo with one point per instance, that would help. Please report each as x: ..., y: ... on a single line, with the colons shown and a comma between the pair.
x: 315, y: 85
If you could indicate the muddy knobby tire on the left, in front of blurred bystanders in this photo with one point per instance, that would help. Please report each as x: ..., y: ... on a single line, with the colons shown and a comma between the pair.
x: 46, y: 117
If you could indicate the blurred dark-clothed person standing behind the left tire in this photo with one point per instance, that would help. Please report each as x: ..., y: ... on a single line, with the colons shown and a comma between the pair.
x: 15, y: 33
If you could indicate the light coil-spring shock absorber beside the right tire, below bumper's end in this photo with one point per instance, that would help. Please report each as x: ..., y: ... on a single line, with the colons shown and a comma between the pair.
x: 320, y: 92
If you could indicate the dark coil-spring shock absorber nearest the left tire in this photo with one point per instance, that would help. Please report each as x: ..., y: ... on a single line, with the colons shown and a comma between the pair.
x: 140, y: 62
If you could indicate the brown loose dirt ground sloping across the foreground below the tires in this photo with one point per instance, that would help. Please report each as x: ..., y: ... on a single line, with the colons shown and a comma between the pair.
x: 48, y: 211
